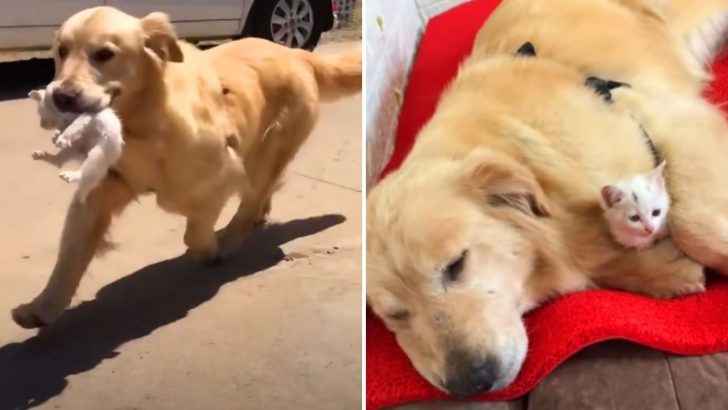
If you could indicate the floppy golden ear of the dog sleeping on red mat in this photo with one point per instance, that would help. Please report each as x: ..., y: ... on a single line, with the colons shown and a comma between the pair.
x: 501, y: 181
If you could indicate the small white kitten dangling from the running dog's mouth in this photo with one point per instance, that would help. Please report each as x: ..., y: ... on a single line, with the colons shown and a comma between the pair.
x: 97, y: 135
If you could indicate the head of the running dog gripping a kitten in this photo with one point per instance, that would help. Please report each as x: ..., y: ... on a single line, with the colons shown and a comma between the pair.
x: 102, y: 52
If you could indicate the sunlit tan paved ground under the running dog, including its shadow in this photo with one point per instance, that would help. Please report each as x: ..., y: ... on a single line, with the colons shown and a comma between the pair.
x: 277, y: 328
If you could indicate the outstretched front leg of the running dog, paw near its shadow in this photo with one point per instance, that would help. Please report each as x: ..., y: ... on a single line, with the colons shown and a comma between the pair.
x: 83, y: 233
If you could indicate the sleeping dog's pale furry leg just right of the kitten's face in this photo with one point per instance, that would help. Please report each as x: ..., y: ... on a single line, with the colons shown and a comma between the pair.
x: 691, y: 134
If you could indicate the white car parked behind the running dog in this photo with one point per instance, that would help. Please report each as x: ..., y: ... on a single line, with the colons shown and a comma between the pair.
x: 30, y: 24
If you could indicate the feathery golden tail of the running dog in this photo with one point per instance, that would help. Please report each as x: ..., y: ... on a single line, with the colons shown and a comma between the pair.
x: 339, y: 75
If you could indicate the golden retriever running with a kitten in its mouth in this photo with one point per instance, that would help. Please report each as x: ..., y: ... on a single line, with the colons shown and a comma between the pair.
x: 198, y: 126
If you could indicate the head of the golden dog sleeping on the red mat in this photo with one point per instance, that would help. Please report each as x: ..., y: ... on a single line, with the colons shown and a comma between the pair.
x: 450, y: 248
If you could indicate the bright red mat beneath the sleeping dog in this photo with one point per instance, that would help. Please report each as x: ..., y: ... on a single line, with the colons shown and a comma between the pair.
x: 691, y: 325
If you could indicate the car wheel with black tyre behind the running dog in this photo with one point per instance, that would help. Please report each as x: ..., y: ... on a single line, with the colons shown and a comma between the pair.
x: 293, y: 23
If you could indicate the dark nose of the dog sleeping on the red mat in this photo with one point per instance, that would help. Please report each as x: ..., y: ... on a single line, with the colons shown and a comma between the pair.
x: 468, y: 376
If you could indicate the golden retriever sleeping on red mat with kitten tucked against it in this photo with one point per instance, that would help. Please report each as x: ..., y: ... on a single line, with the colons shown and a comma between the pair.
x: 496, y: 209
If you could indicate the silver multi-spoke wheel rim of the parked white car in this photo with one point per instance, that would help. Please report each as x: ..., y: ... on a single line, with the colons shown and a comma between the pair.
x: 292, y: 22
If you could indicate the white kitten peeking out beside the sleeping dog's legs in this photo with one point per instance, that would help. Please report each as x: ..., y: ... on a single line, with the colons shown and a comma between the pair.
x: 636, y: 208
